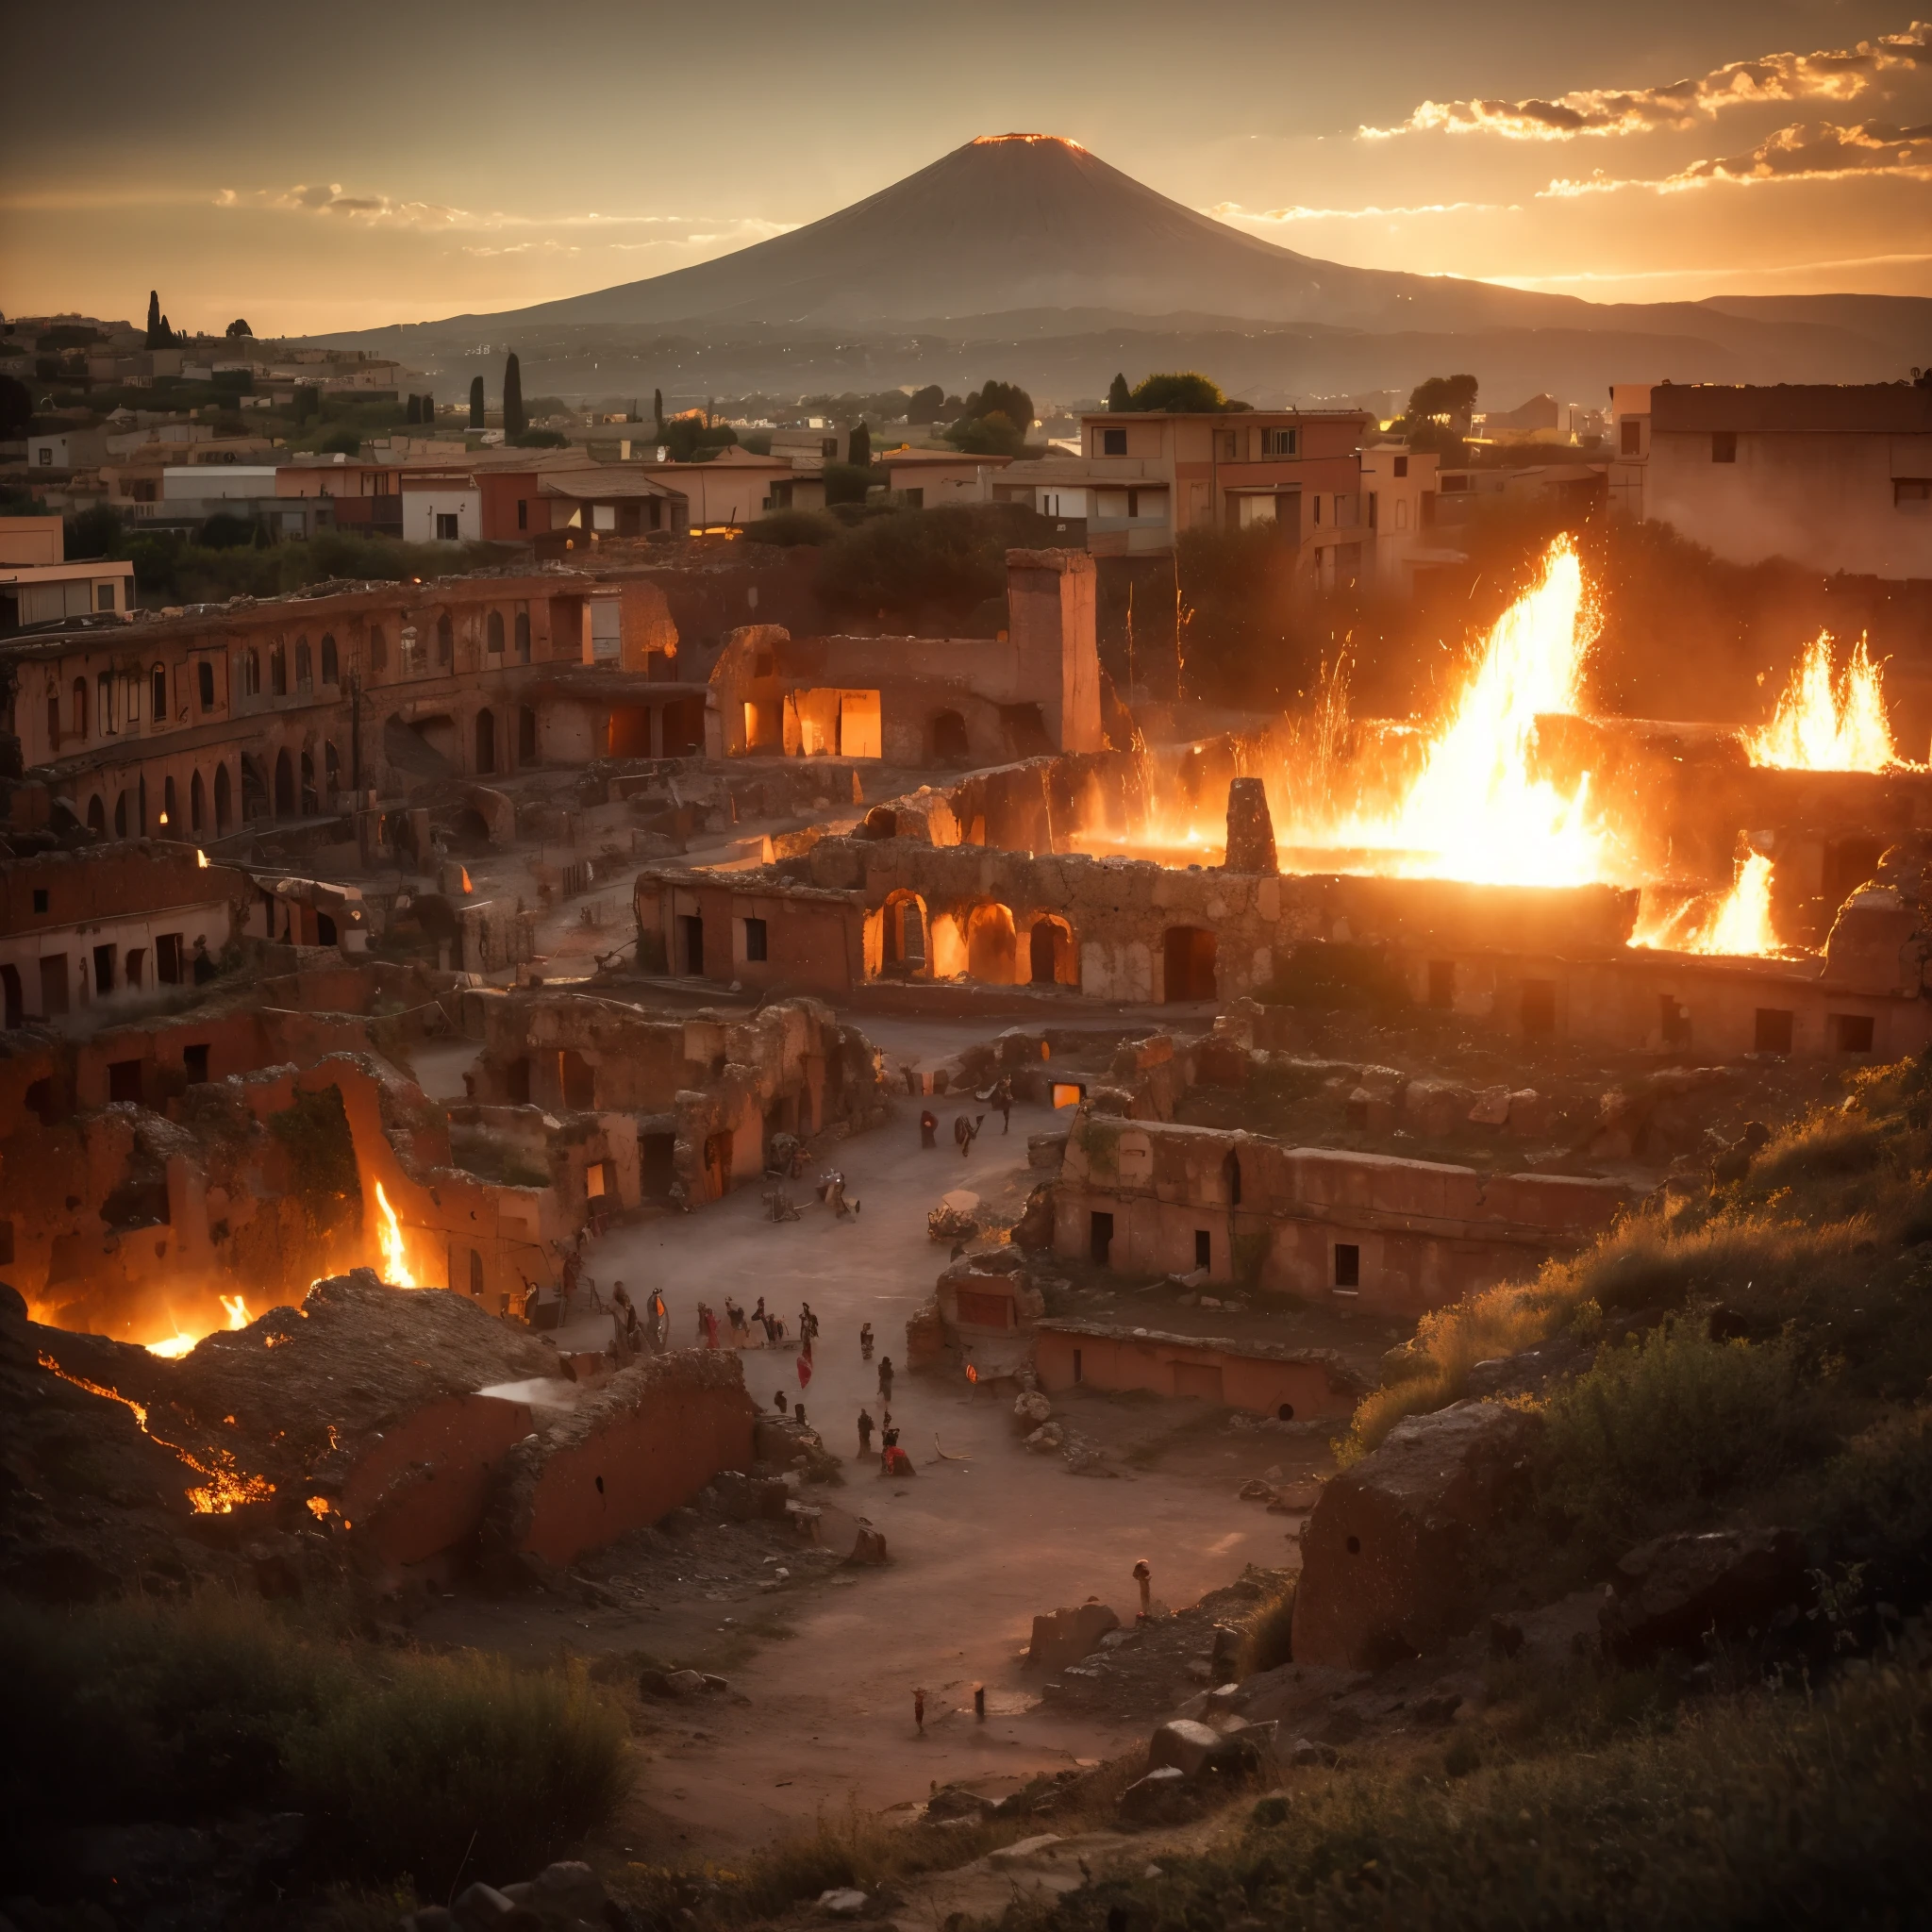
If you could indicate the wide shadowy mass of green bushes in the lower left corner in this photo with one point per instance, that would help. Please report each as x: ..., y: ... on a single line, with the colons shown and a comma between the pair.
x: 188, y: 1713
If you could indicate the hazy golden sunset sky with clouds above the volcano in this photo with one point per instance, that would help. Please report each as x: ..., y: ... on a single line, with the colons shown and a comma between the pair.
x: 414, y: 159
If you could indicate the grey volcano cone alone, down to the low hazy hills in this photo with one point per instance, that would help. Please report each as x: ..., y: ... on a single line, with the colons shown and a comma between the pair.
x: 1023, y: 223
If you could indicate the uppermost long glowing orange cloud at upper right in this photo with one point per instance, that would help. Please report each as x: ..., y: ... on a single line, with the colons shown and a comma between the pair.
x: 1603, y: 111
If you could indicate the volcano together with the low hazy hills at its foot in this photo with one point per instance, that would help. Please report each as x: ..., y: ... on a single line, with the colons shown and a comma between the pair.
x: 1037, y: 244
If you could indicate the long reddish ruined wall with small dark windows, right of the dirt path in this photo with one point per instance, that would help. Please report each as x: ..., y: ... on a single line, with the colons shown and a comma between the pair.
x: 1400, y: 1236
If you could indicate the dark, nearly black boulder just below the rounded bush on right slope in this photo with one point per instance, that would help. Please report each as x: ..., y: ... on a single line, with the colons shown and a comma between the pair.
x: 1668, y: 1593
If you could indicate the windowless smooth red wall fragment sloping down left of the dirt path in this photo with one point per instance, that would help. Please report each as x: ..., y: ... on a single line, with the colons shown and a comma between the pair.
x: 625, y: 1458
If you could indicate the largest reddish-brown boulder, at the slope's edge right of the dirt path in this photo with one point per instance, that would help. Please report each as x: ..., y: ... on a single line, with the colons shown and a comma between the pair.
x: 1388, y: 1556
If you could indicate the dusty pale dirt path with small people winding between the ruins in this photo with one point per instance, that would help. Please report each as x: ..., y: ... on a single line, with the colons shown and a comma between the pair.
x: 979, y: 1545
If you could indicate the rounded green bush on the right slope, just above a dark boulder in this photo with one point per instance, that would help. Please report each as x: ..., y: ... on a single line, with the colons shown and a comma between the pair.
x: 1674, y: 1421
